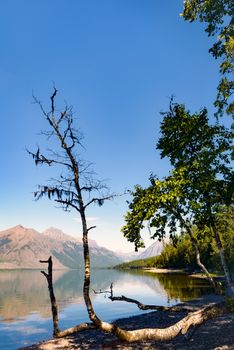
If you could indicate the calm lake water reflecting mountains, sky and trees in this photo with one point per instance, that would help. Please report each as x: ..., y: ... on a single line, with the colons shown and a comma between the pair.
x: 25, y: 309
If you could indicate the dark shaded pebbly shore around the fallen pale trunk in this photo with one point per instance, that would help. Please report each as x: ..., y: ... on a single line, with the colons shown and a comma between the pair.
x: 216, y: 333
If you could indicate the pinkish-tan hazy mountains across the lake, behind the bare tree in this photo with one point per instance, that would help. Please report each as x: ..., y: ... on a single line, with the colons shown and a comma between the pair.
x: 22, y: 247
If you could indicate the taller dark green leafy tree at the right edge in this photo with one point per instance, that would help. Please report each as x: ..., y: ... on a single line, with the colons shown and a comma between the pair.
x: 202, y: 151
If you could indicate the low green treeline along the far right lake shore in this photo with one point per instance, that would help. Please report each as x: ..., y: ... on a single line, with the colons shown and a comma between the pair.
x: 180, y: 254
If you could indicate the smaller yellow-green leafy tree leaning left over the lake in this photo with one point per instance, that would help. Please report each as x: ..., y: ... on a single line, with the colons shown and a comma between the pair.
x: 163, y: 205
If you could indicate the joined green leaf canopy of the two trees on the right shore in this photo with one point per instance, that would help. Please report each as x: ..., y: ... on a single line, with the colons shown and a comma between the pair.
x: 200, y: 182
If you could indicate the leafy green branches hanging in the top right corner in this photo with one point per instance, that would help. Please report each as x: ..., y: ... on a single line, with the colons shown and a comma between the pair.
x: 218, y: 15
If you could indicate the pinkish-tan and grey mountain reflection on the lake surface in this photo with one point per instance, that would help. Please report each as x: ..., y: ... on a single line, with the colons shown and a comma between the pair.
x: 23, y: 292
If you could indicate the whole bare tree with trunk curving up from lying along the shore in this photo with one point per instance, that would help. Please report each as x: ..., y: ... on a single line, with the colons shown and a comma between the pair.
x: 76, y: 188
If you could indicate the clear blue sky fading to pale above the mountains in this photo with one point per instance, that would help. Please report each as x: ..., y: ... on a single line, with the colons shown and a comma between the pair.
x: 117, y: 62
